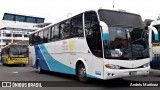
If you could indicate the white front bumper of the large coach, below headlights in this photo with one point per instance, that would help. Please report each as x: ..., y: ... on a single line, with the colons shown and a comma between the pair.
x: 120, y: 73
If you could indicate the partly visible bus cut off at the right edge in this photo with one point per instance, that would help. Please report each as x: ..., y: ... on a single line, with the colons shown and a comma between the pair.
x: 154, y: 40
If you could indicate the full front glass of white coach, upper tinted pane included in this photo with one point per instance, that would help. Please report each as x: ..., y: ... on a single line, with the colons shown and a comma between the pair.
x: 127, y: 37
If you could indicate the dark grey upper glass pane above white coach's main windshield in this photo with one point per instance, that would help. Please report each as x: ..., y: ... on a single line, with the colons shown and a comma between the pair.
x: 122, y: 19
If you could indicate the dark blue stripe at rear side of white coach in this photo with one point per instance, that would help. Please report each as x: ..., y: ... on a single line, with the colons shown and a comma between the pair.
x: 39, y: 56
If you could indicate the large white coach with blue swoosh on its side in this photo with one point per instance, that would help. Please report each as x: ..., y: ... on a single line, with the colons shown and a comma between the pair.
x: 101, y: 44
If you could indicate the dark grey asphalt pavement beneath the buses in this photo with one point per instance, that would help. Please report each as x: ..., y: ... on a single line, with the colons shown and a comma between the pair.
x: 58, y: 81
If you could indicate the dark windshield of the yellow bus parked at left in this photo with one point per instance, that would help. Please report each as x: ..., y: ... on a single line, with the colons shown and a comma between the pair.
x: 19, y: 51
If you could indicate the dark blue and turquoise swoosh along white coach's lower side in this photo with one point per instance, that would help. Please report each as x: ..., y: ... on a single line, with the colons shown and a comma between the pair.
x: 54, y: 65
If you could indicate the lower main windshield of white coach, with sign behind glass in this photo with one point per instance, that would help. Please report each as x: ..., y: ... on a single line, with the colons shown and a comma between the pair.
x: 126, y: 43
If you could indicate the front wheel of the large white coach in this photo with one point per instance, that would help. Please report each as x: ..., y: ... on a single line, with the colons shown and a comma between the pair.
x: 81, y: 73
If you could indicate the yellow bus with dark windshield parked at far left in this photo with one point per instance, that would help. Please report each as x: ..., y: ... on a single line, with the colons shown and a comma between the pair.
x: 15, y: 54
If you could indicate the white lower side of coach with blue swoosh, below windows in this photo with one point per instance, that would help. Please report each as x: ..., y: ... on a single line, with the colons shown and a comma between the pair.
x: 62, y: 56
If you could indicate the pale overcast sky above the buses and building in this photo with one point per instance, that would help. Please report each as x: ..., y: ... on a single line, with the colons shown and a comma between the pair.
x: 56, y: 10
